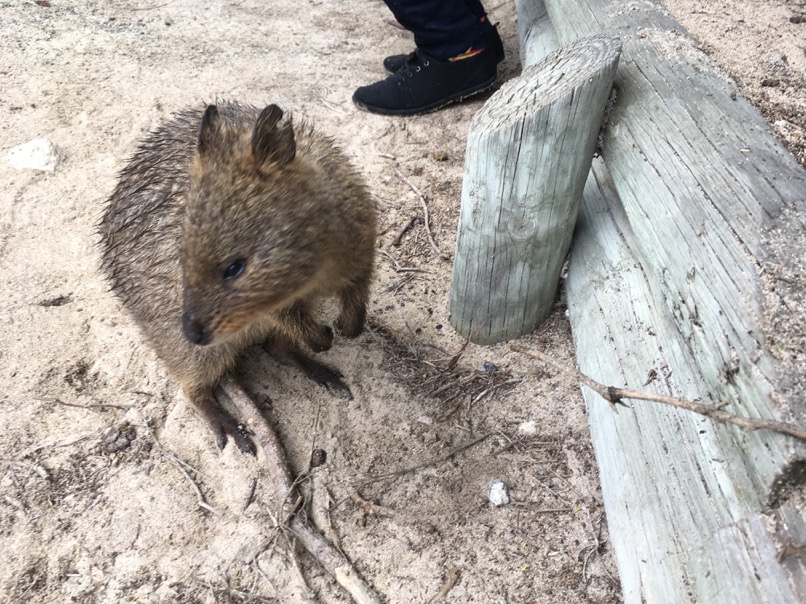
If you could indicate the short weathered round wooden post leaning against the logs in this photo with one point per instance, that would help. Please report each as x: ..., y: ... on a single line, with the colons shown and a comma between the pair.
x: 528, y: 154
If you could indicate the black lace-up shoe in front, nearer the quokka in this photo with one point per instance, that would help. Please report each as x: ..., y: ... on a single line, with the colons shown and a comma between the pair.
x: 424, y: 84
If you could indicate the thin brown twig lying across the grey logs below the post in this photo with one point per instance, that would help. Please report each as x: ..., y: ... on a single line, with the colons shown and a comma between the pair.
x: 615, y: 395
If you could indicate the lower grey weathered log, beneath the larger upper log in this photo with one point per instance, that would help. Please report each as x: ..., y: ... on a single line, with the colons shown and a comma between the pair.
x: 678, y: 489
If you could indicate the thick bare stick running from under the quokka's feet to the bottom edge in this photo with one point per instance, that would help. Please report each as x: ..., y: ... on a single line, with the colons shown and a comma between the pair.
x: 336, y: 565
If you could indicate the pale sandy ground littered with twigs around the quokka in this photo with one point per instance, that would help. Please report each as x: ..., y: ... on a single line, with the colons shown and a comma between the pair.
x: 98, y: 447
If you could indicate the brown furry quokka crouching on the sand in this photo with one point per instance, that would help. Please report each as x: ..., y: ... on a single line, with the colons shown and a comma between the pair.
x: 223, y: 229
